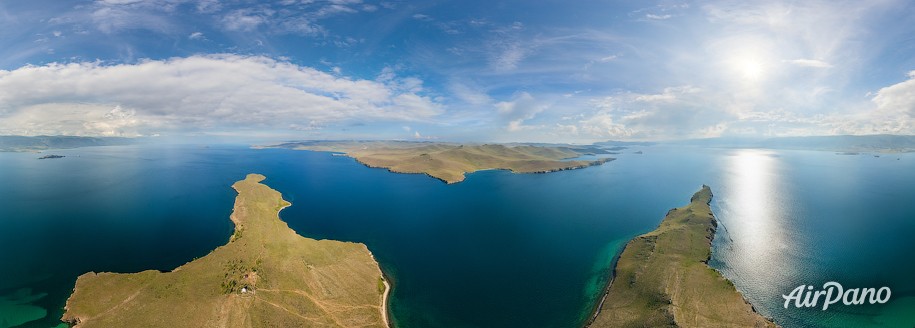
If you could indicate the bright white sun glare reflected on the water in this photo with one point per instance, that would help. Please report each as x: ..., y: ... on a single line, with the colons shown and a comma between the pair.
x: 753, y: 237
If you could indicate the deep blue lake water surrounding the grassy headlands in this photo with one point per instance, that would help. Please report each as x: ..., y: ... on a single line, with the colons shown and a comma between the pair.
x: 497, y: 250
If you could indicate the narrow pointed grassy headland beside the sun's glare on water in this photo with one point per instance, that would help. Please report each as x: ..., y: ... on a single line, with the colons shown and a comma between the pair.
x: 662, y: 279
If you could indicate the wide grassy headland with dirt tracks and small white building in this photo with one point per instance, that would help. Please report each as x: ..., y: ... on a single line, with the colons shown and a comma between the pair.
x: 298, y: 282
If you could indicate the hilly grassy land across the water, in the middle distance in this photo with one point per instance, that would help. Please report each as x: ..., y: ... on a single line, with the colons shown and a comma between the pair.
x: 449, y: 162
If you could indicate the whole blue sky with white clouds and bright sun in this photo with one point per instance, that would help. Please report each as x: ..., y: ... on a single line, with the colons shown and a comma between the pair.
x: 487, y: 71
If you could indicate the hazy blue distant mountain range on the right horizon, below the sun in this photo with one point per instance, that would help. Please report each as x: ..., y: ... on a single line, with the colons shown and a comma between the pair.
x: 844, y: 143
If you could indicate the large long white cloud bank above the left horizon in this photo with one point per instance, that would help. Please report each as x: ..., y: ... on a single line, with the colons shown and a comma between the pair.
x: 195, y: 93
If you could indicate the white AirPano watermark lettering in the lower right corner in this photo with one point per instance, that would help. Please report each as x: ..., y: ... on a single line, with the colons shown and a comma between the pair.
x: 833, y: 293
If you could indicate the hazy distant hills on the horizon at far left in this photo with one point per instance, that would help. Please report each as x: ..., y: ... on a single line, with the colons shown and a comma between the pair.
x: 37, y: 143
